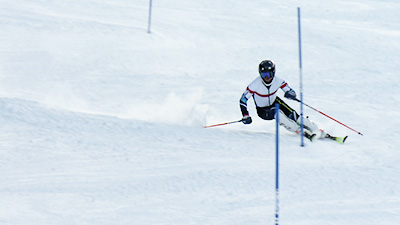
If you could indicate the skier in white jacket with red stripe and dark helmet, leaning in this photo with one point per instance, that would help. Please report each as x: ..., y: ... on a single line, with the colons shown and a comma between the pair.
x: 264, y: 92
